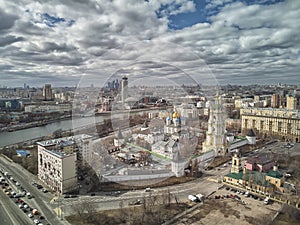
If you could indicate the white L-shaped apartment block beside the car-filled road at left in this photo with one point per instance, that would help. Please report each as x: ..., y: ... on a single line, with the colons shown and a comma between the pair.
x: 57, y: 161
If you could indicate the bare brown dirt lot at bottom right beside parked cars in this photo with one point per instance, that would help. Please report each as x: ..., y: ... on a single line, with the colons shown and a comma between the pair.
x: 231, y: 211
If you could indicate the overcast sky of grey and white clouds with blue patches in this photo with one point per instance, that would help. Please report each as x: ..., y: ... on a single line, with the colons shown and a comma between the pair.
x: 224, y: 41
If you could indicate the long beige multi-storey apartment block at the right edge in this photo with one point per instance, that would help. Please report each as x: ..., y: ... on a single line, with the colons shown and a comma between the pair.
x: 279, y: 123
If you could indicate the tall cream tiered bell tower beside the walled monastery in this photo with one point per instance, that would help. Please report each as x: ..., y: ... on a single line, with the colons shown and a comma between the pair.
x: 215, y: 135
